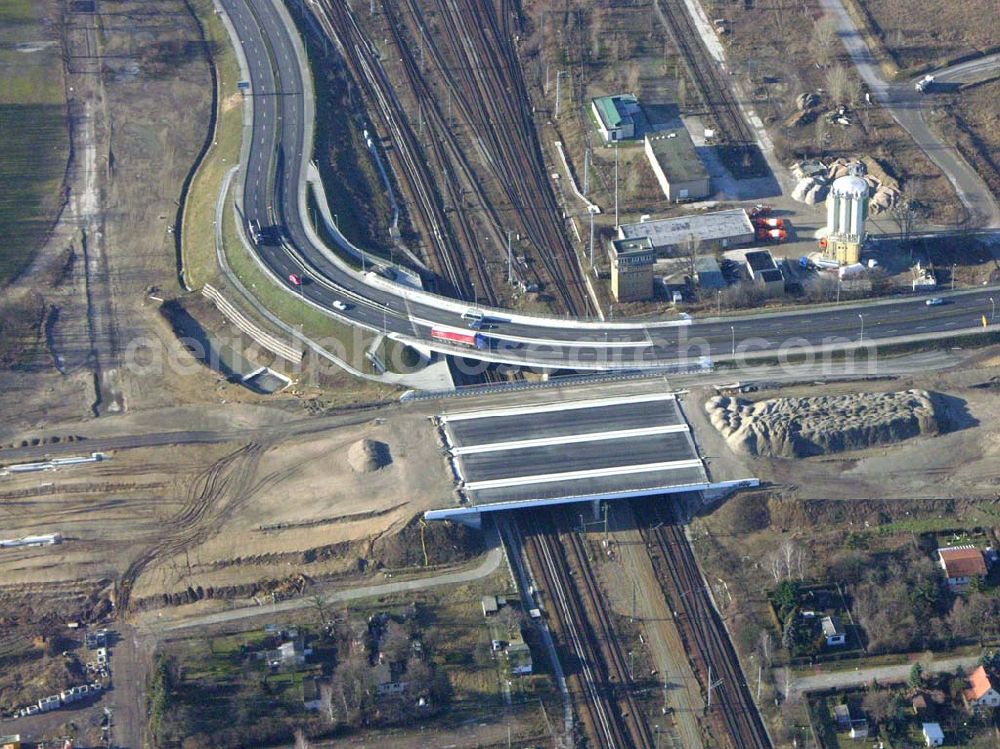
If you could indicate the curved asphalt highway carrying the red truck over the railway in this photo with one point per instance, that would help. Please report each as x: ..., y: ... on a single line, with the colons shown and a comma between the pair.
x: 273, y: 194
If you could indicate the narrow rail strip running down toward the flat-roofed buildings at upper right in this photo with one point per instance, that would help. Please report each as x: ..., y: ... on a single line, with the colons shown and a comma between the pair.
x: 713, y: 86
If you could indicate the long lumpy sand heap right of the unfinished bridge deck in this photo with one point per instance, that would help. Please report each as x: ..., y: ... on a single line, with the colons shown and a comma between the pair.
x: 799, y: 427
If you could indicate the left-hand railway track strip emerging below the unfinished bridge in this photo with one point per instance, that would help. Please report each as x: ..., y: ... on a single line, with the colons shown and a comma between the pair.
x: 578, y: 616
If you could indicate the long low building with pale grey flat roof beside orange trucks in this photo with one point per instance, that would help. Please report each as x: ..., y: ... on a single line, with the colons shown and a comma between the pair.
x: 670, y: 237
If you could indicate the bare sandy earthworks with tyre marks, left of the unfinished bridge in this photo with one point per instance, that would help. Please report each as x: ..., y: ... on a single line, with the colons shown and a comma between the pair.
x: 246, y: 499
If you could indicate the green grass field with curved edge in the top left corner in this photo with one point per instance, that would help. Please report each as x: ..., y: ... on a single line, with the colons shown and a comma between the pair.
x: 33, y: 131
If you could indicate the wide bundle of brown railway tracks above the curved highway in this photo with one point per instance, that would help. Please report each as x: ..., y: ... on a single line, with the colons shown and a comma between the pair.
x: 474, y: 59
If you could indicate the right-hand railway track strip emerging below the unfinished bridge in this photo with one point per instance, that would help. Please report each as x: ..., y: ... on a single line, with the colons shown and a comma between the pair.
x: 709, y: 648
